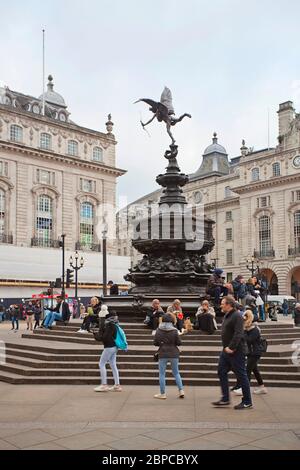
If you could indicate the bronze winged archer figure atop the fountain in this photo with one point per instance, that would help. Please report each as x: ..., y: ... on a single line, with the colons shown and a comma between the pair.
x: 163, y: 110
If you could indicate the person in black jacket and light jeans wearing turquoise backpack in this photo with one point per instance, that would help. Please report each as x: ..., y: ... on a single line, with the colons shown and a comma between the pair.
x: 109, y: 355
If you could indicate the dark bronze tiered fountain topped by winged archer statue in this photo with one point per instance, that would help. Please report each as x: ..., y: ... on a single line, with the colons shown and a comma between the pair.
x: 175, y: 239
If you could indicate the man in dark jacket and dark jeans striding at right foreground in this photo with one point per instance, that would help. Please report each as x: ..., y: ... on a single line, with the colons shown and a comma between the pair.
x: 233, y: 355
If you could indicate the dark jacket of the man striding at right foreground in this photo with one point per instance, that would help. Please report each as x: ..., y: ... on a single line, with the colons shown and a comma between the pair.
x: 233, y: 332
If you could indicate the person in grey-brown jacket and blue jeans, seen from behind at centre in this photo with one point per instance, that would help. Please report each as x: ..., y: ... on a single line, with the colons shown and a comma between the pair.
x: 167, y: 338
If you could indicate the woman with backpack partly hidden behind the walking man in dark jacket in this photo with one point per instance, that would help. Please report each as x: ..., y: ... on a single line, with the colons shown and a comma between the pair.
x: 256, y: 347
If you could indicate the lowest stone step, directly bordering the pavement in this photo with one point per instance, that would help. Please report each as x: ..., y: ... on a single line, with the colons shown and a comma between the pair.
x: 22, y: 380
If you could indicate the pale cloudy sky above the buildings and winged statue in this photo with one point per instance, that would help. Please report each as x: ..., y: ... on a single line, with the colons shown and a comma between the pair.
x: 226, y: 61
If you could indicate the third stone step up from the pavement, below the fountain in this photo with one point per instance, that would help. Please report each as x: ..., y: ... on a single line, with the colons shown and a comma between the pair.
x: 147, y: 363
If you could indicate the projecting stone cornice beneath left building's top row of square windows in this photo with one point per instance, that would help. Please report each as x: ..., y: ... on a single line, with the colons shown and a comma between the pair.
x: 74, y: 161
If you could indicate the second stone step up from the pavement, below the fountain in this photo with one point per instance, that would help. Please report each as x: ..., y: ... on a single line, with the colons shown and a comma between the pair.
x: 141, y: 373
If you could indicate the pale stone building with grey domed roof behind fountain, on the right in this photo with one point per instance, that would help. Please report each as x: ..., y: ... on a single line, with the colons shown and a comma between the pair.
x: 254, y: 200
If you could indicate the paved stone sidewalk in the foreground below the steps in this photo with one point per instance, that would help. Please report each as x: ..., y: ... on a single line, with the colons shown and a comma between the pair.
x: 65, y: 417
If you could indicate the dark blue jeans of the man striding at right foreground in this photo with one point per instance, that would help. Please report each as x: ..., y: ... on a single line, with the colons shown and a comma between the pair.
x: 237, y: 363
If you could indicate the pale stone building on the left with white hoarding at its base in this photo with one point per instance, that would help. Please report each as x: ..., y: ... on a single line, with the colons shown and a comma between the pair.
x: 55, y: 177
